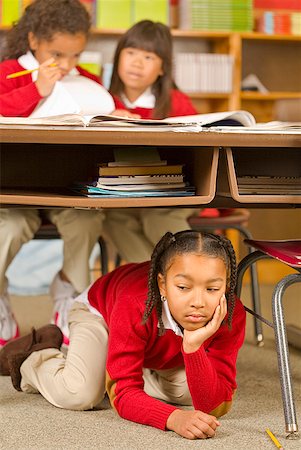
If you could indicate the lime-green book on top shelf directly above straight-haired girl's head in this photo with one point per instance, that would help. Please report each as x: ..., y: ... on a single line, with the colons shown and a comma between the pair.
x: 156, y: 10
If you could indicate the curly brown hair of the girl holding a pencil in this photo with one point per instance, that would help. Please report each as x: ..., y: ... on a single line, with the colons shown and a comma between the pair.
x: 44, y: 18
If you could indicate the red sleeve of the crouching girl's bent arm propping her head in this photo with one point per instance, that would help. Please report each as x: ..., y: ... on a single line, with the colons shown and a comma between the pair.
x: 211, y: 370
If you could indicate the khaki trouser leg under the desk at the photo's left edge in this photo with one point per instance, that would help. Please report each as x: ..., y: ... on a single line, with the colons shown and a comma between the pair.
x: 17, y: 226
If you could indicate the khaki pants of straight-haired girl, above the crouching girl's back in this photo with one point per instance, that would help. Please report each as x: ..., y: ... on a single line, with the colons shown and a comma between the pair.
x: 135, y: 231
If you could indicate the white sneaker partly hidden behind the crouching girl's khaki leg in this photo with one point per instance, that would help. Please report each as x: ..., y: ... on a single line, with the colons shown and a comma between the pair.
x: 63, y: 294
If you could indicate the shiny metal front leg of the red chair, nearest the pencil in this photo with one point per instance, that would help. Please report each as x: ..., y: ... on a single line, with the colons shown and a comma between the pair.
x: 283, y: 355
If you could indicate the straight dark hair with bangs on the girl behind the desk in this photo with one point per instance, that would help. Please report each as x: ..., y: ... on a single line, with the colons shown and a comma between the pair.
x: 156, y: 38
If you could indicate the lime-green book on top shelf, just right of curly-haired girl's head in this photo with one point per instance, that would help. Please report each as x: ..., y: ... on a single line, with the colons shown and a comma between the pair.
x: 113, y: 14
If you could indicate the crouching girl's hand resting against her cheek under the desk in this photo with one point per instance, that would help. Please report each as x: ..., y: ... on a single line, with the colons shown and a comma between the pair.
x: 194, y: 339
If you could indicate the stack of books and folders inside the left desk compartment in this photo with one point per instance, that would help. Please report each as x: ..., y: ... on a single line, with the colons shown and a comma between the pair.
x: 138, y: 173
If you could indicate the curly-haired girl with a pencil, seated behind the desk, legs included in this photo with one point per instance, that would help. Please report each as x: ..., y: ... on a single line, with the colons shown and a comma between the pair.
x: 50, y: 37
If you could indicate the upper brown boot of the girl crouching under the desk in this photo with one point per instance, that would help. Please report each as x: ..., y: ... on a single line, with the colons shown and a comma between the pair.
x: 49, y: 336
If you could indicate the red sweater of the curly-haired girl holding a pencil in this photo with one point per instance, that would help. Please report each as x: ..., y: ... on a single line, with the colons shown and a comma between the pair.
x: 19, y: 96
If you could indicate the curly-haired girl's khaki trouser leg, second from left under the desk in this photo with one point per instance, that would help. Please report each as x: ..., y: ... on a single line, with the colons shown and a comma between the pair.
x: 79, y: 230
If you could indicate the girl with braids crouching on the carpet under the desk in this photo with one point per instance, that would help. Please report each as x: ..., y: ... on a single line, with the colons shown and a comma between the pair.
x: 155, y: 336
